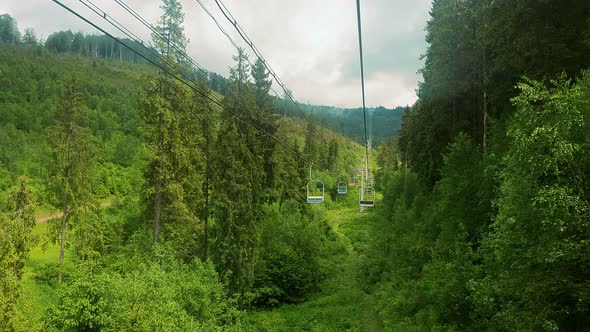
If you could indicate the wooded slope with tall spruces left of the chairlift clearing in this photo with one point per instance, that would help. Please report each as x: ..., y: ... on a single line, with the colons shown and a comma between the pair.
x: 175, y: 215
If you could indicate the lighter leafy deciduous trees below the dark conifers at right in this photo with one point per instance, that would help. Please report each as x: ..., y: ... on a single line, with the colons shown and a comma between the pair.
x: 456, y: 260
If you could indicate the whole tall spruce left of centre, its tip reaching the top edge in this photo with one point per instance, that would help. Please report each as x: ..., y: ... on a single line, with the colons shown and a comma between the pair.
x: 165, y: 102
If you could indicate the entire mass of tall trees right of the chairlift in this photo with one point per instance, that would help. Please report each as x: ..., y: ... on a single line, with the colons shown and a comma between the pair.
x: 486, y: 225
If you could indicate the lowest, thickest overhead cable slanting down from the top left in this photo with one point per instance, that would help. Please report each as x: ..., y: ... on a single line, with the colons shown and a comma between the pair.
x: 205, y: 94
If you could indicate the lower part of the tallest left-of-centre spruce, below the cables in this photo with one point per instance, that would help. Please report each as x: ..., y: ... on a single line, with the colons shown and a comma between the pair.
x: 171, y: 176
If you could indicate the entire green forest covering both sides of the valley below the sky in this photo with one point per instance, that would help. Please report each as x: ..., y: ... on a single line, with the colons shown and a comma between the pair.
x: 131, y: 201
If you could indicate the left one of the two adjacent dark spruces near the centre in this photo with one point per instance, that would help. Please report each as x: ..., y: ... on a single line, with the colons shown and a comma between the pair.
x: 238, y: 184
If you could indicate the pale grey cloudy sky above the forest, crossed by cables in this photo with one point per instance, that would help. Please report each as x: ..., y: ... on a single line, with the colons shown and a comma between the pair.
x: 311, y: 44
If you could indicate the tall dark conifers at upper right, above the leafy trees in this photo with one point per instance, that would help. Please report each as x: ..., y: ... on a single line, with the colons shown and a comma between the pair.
x: 477, y: 53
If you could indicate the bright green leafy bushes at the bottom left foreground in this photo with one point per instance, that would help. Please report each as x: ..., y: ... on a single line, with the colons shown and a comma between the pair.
x: 166, y: 295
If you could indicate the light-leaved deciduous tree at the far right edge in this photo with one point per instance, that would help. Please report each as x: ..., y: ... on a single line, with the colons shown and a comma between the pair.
x: 543, y: 217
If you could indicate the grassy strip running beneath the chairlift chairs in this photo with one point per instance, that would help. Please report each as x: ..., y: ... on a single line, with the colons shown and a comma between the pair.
x: 341, y: 304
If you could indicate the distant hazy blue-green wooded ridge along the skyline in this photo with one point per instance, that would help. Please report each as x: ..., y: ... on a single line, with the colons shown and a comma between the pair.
x: 383, y: 122
